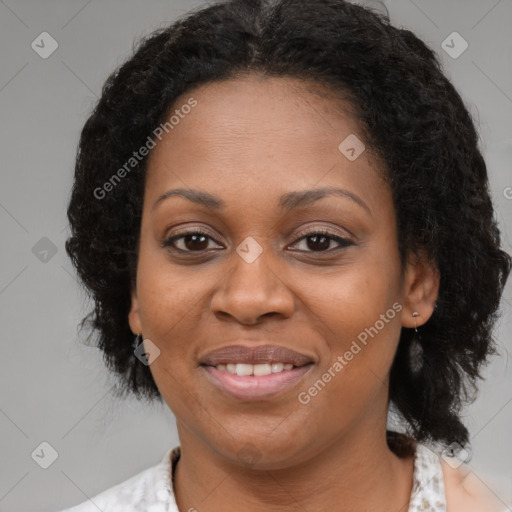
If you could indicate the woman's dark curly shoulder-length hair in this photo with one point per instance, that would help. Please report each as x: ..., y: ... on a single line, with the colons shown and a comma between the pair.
x: 412, y: 118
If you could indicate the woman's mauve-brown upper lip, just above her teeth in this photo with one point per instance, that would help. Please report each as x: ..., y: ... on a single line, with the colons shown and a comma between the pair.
x: 255, y: 355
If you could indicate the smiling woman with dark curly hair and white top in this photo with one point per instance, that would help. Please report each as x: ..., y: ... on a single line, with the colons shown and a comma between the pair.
x: 284, y: 220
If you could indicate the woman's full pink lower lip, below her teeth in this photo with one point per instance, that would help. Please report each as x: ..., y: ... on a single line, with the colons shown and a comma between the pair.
x: 255, y: 387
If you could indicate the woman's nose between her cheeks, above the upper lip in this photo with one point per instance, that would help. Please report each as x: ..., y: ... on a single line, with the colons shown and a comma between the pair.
x: 250, y: 291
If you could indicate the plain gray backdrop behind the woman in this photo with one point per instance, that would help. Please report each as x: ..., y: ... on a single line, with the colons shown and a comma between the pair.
x: 56, y: 389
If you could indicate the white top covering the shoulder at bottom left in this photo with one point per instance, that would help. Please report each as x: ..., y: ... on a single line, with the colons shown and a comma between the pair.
x: 149, y: 487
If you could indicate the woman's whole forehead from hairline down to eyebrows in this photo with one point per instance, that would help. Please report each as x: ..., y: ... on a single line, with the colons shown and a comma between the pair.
x: 270, y: 134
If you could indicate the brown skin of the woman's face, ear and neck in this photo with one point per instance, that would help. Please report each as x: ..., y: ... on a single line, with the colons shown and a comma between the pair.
x: 249, y: 141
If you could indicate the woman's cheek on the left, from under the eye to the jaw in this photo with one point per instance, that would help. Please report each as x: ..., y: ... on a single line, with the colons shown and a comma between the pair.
x: 172, y: 301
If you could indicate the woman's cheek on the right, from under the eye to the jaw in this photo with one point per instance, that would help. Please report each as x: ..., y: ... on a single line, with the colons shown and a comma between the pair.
x: 356, y: 311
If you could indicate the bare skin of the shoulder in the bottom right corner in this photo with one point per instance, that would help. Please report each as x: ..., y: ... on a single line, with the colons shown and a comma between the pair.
x: 466, y: 492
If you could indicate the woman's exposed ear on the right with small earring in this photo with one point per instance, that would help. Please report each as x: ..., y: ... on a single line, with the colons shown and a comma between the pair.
x: 421, y: 289
